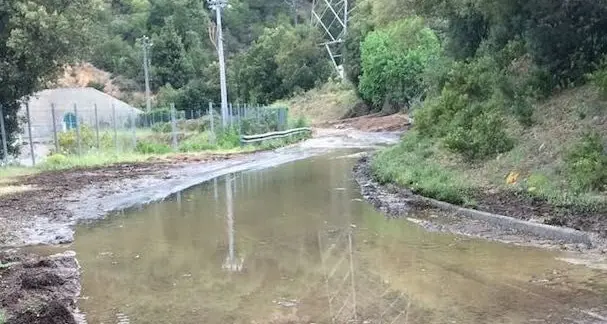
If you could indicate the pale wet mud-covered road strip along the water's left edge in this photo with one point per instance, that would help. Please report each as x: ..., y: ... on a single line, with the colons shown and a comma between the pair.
x: 46, y: 213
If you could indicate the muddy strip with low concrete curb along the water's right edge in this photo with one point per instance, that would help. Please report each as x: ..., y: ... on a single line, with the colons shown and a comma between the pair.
x: 488, y: 222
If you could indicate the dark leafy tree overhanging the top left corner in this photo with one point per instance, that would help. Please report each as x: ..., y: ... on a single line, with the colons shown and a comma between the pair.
x: 37, y: 38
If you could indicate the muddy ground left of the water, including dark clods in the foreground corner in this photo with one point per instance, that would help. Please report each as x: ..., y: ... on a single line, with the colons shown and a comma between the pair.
x: 37, y: 289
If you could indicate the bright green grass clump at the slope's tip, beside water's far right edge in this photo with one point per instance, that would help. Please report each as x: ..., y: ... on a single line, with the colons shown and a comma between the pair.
x: 411, y: 164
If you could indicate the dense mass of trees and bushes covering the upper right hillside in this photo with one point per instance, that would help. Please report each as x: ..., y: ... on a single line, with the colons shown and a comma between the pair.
x: 489, y: 61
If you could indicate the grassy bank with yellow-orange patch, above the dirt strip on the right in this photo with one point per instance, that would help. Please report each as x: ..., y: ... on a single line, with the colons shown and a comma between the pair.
x: 552, y: 161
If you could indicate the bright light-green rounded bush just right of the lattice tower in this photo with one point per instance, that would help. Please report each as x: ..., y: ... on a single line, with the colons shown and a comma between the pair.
x: 394, y: 60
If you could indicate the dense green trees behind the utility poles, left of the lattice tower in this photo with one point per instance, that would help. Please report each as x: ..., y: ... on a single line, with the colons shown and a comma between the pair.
x: 268, y: 57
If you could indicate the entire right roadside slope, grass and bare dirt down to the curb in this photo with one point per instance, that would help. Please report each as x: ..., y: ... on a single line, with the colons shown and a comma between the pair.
x: 534, y: 181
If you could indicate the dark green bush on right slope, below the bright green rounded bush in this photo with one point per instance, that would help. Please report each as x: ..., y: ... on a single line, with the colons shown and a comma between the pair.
x: 468, y: 115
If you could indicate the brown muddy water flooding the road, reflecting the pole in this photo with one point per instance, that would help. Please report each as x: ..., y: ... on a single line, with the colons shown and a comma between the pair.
x: 296, y: 244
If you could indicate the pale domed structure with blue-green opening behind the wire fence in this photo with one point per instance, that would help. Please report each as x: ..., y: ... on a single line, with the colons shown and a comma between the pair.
x: 73, y: 107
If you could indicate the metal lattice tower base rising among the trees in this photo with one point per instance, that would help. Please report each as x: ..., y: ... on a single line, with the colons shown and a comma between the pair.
x: 331, y: 16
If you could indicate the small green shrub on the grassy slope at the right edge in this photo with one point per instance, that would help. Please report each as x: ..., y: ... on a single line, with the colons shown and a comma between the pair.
x: 586, y: 163
